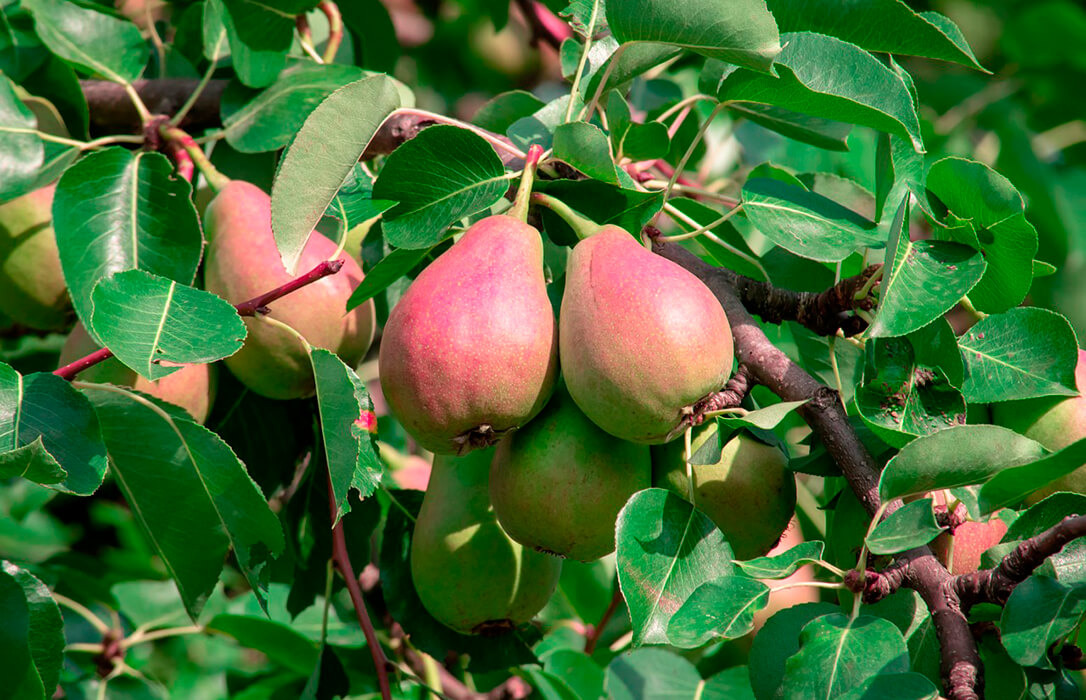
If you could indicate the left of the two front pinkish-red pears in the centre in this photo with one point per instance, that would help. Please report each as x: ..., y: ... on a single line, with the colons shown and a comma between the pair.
x: 471, y: 352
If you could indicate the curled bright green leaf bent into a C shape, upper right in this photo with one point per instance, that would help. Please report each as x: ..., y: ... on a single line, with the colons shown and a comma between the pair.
x: 989, y: 214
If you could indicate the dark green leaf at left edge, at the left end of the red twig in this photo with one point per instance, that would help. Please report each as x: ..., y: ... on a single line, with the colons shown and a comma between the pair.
x: 49, y: 434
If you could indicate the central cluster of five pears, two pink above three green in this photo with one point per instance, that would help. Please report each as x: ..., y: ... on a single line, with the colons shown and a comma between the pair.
x: 471, y: 358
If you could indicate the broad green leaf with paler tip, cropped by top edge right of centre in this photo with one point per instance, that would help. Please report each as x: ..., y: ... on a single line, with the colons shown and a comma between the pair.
x: 741, y: 32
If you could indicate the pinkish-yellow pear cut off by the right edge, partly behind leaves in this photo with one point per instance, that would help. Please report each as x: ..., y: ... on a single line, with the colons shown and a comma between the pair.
x: 1055, y: 423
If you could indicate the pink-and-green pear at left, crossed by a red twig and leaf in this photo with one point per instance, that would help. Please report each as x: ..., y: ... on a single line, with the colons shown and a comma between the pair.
x: 244, y: 262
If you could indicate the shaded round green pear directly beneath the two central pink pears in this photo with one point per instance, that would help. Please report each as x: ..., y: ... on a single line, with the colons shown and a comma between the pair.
x: 559, y: 483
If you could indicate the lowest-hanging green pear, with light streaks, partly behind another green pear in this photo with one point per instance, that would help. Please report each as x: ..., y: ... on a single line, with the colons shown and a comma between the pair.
x: 469, y: 574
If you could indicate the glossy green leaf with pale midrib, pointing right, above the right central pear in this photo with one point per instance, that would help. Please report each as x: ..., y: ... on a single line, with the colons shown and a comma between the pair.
x: 807, y: 224
